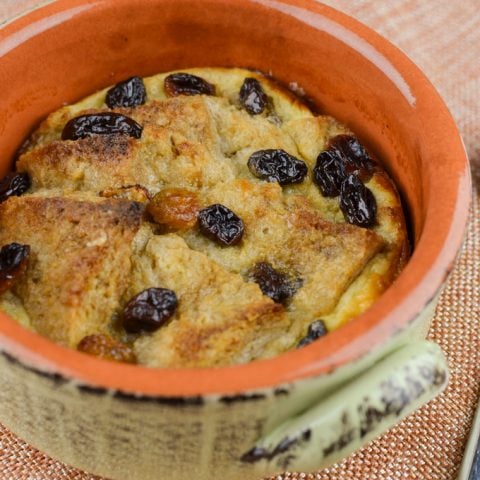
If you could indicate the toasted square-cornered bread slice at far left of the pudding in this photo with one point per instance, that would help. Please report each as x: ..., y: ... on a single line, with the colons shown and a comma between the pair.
x: 79, y: 263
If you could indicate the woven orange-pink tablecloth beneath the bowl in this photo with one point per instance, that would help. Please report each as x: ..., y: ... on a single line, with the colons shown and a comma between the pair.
x: 443, y: 38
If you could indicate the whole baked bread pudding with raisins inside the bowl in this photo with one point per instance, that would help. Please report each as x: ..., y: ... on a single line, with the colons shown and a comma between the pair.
x: 197, y: 218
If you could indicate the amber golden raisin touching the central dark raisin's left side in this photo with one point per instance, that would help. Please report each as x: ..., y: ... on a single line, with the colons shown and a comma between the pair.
x: 176, y: 208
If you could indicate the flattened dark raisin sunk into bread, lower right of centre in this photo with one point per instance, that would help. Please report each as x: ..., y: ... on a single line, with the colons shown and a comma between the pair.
x: 274, y: 284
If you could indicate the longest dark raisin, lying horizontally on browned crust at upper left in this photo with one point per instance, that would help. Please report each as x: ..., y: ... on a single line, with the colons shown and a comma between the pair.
x: 104, y: 123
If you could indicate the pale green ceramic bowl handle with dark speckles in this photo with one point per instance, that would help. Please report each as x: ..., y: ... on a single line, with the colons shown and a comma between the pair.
x: 357, y: 412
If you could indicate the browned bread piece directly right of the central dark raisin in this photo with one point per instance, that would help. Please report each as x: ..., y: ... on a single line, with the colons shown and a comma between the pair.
x: 288, y: 233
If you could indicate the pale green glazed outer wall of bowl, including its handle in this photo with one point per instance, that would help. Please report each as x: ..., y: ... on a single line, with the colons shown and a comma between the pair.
x: 302, y: 426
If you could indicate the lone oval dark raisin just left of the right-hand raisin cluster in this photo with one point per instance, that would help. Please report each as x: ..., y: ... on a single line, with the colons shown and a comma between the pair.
x: 277, y: 166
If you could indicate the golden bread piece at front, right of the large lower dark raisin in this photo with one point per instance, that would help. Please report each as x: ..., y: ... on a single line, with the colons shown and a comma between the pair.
x: 220, y: 319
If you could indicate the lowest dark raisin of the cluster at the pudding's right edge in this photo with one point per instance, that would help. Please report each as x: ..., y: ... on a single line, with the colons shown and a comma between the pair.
x: 357, y: 202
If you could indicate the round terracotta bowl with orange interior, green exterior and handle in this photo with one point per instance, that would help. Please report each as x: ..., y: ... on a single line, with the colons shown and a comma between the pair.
x: 303, y: 409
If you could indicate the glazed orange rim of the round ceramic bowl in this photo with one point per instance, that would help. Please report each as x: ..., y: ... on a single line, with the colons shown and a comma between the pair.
x: 415, y: 288
